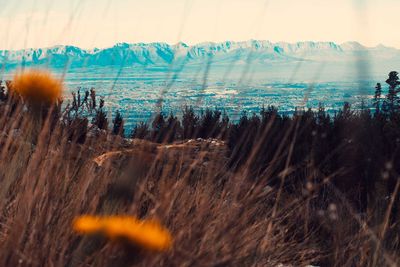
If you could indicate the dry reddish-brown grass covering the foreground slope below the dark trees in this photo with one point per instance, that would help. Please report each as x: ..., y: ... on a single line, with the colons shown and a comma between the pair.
x: 217, y: 217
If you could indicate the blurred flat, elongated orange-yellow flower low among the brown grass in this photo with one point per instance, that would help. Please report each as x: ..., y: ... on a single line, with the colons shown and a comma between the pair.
x: 147, y: 234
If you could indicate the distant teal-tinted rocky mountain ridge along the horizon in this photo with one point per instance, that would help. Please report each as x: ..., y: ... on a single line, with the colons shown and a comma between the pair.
x: 161, y: 54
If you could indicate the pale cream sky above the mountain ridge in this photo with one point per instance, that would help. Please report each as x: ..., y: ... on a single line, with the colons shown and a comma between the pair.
x: 102, y: 23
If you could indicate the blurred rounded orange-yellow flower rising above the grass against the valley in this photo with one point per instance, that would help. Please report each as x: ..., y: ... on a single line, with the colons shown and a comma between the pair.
x: 37, y: 86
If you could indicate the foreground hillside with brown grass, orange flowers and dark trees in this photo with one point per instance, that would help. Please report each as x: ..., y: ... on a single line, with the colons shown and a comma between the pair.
x: 267, y: 190
